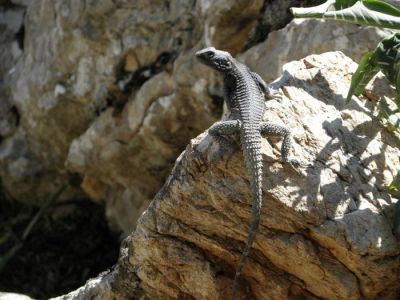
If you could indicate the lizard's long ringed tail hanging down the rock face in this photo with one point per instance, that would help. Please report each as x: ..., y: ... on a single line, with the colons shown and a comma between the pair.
x: 251, y: 141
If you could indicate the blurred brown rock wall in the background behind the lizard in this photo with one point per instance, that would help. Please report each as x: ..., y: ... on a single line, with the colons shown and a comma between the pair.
x: 111, y: 89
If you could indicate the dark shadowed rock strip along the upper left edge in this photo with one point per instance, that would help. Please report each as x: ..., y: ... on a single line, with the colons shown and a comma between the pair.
x: 22, y: 174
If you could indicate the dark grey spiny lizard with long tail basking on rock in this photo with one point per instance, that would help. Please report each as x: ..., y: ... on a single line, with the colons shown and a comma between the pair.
x: 245, y: 92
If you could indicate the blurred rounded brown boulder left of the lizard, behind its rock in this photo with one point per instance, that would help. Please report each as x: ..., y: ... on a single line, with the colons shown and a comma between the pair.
x: 126, y: 158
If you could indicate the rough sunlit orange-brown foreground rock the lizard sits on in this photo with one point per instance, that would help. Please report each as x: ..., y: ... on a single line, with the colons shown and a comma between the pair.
x: 324, y: 234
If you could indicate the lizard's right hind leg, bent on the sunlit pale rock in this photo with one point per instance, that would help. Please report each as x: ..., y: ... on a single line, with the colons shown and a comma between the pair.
x: 272, y: 129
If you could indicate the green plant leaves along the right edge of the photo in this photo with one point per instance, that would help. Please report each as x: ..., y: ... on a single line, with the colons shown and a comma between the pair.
x: 385, y: 58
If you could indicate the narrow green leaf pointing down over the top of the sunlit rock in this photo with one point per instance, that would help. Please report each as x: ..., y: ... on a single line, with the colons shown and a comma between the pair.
x: 364, y: 73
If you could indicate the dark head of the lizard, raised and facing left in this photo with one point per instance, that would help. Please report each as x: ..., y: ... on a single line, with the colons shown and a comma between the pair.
x: 216, y: 59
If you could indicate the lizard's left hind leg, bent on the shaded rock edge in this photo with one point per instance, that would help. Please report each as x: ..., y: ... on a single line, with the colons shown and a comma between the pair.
x: 219, y: 131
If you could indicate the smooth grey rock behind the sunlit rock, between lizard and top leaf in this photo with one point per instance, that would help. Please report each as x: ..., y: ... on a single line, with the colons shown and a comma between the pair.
x: 304, y: 36
